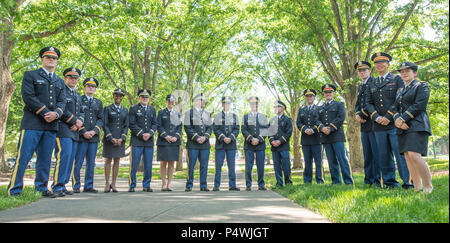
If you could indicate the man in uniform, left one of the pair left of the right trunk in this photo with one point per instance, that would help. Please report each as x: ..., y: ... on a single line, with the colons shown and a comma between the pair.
x: 308, y: 123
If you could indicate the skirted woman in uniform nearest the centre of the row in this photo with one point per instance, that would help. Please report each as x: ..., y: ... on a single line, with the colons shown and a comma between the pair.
x: 169, y: 136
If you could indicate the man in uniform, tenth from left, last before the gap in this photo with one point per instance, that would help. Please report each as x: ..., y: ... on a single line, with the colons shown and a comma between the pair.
x: 280, y: 132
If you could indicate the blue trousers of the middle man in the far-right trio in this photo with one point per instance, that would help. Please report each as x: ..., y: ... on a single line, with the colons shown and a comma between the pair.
x: 387, y: 142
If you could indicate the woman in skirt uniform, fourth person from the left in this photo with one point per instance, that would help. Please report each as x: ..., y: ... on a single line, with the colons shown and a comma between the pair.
x: 115, y: 134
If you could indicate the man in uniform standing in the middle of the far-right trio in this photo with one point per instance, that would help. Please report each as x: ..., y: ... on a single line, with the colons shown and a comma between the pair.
x: 380, y: 98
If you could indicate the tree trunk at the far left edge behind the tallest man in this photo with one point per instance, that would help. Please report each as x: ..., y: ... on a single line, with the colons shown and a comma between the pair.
x: 7, y: 86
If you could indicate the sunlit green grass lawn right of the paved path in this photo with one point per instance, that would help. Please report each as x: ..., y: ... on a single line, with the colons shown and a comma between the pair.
x: 359, y: 204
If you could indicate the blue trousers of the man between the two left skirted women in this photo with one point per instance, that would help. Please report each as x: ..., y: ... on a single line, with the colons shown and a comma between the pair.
x: 137, y: 153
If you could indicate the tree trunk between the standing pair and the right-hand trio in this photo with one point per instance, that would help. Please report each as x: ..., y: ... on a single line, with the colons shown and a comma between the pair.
x: 353, y: 129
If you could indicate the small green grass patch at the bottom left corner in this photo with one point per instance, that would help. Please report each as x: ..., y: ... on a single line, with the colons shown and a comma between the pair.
x: 28, y: 195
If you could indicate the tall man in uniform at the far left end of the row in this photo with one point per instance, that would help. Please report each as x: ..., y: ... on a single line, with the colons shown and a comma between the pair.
x: 43, y: 95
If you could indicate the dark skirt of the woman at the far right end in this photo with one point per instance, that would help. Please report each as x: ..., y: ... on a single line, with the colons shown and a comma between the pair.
x: 413, y: 141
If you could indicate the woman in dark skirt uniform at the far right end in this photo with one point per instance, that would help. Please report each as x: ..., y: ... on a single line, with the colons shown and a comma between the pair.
x: 413, y: 125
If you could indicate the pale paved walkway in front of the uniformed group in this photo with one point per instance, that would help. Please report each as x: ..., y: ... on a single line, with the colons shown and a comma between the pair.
x: 177, y: 206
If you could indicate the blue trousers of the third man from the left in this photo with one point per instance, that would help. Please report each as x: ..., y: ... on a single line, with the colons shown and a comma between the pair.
x: 88, y: 151
